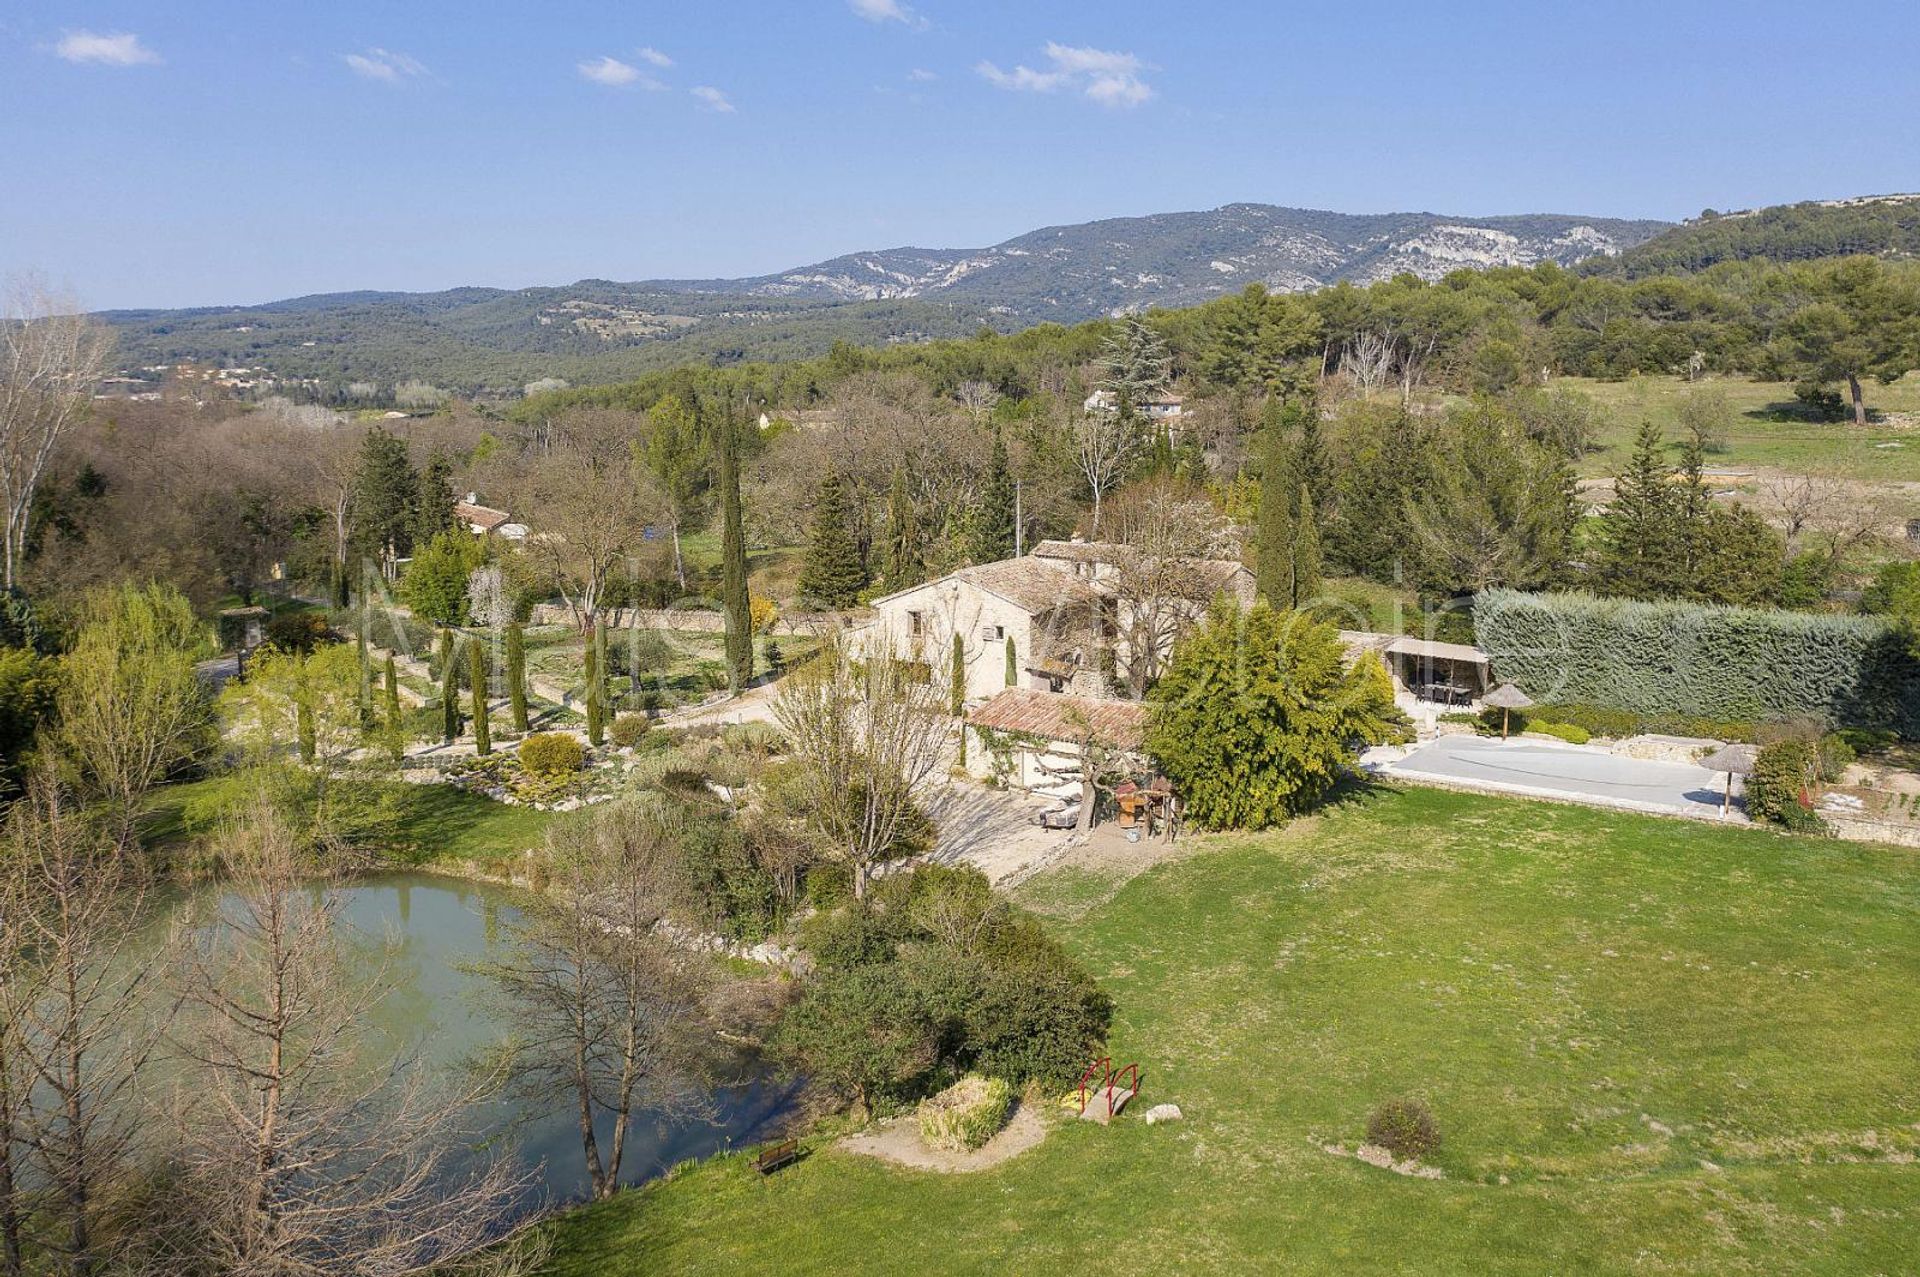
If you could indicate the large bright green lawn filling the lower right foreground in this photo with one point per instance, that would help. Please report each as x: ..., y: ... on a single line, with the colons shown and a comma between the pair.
x: 1650, y: 1046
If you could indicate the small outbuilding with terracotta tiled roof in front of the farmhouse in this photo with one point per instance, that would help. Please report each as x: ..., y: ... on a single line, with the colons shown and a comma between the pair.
x: 1040, y: 738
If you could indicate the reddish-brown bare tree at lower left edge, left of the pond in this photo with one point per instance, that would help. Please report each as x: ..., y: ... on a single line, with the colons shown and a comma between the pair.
x: 80, y: 1030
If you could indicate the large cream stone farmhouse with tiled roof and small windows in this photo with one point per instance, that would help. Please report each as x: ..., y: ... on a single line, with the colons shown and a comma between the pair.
x: 1076, y: 614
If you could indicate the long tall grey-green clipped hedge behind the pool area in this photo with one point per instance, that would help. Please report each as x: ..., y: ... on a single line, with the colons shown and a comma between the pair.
x: 1700, y: 660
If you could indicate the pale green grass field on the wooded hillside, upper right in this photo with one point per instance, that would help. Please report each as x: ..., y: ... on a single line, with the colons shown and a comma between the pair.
x: 1765, y: 431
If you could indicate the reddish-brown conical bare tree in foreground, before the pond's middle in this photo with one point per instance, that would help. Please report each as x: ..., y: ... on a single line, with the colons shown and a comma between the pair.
x: 299, y: 1153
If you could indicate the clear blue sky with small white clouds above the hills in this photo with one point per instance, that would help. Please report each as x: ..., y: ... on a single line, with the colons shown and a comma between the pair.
x: 210, y: 153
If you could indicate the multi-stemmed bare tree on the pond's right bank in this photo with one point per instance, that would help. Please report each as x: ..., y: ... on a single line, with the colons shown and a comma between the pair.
x: 606, y: 1000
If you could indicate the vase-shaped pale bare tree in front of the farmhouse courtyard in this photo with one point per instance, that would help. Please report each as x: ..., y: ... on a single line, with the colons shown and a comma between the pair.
x: 869, y: 735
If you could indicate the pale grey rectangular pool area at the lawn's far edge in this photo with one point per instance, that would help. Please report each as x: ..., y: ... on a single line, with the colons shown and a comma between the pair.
x: 1570, y: 773
